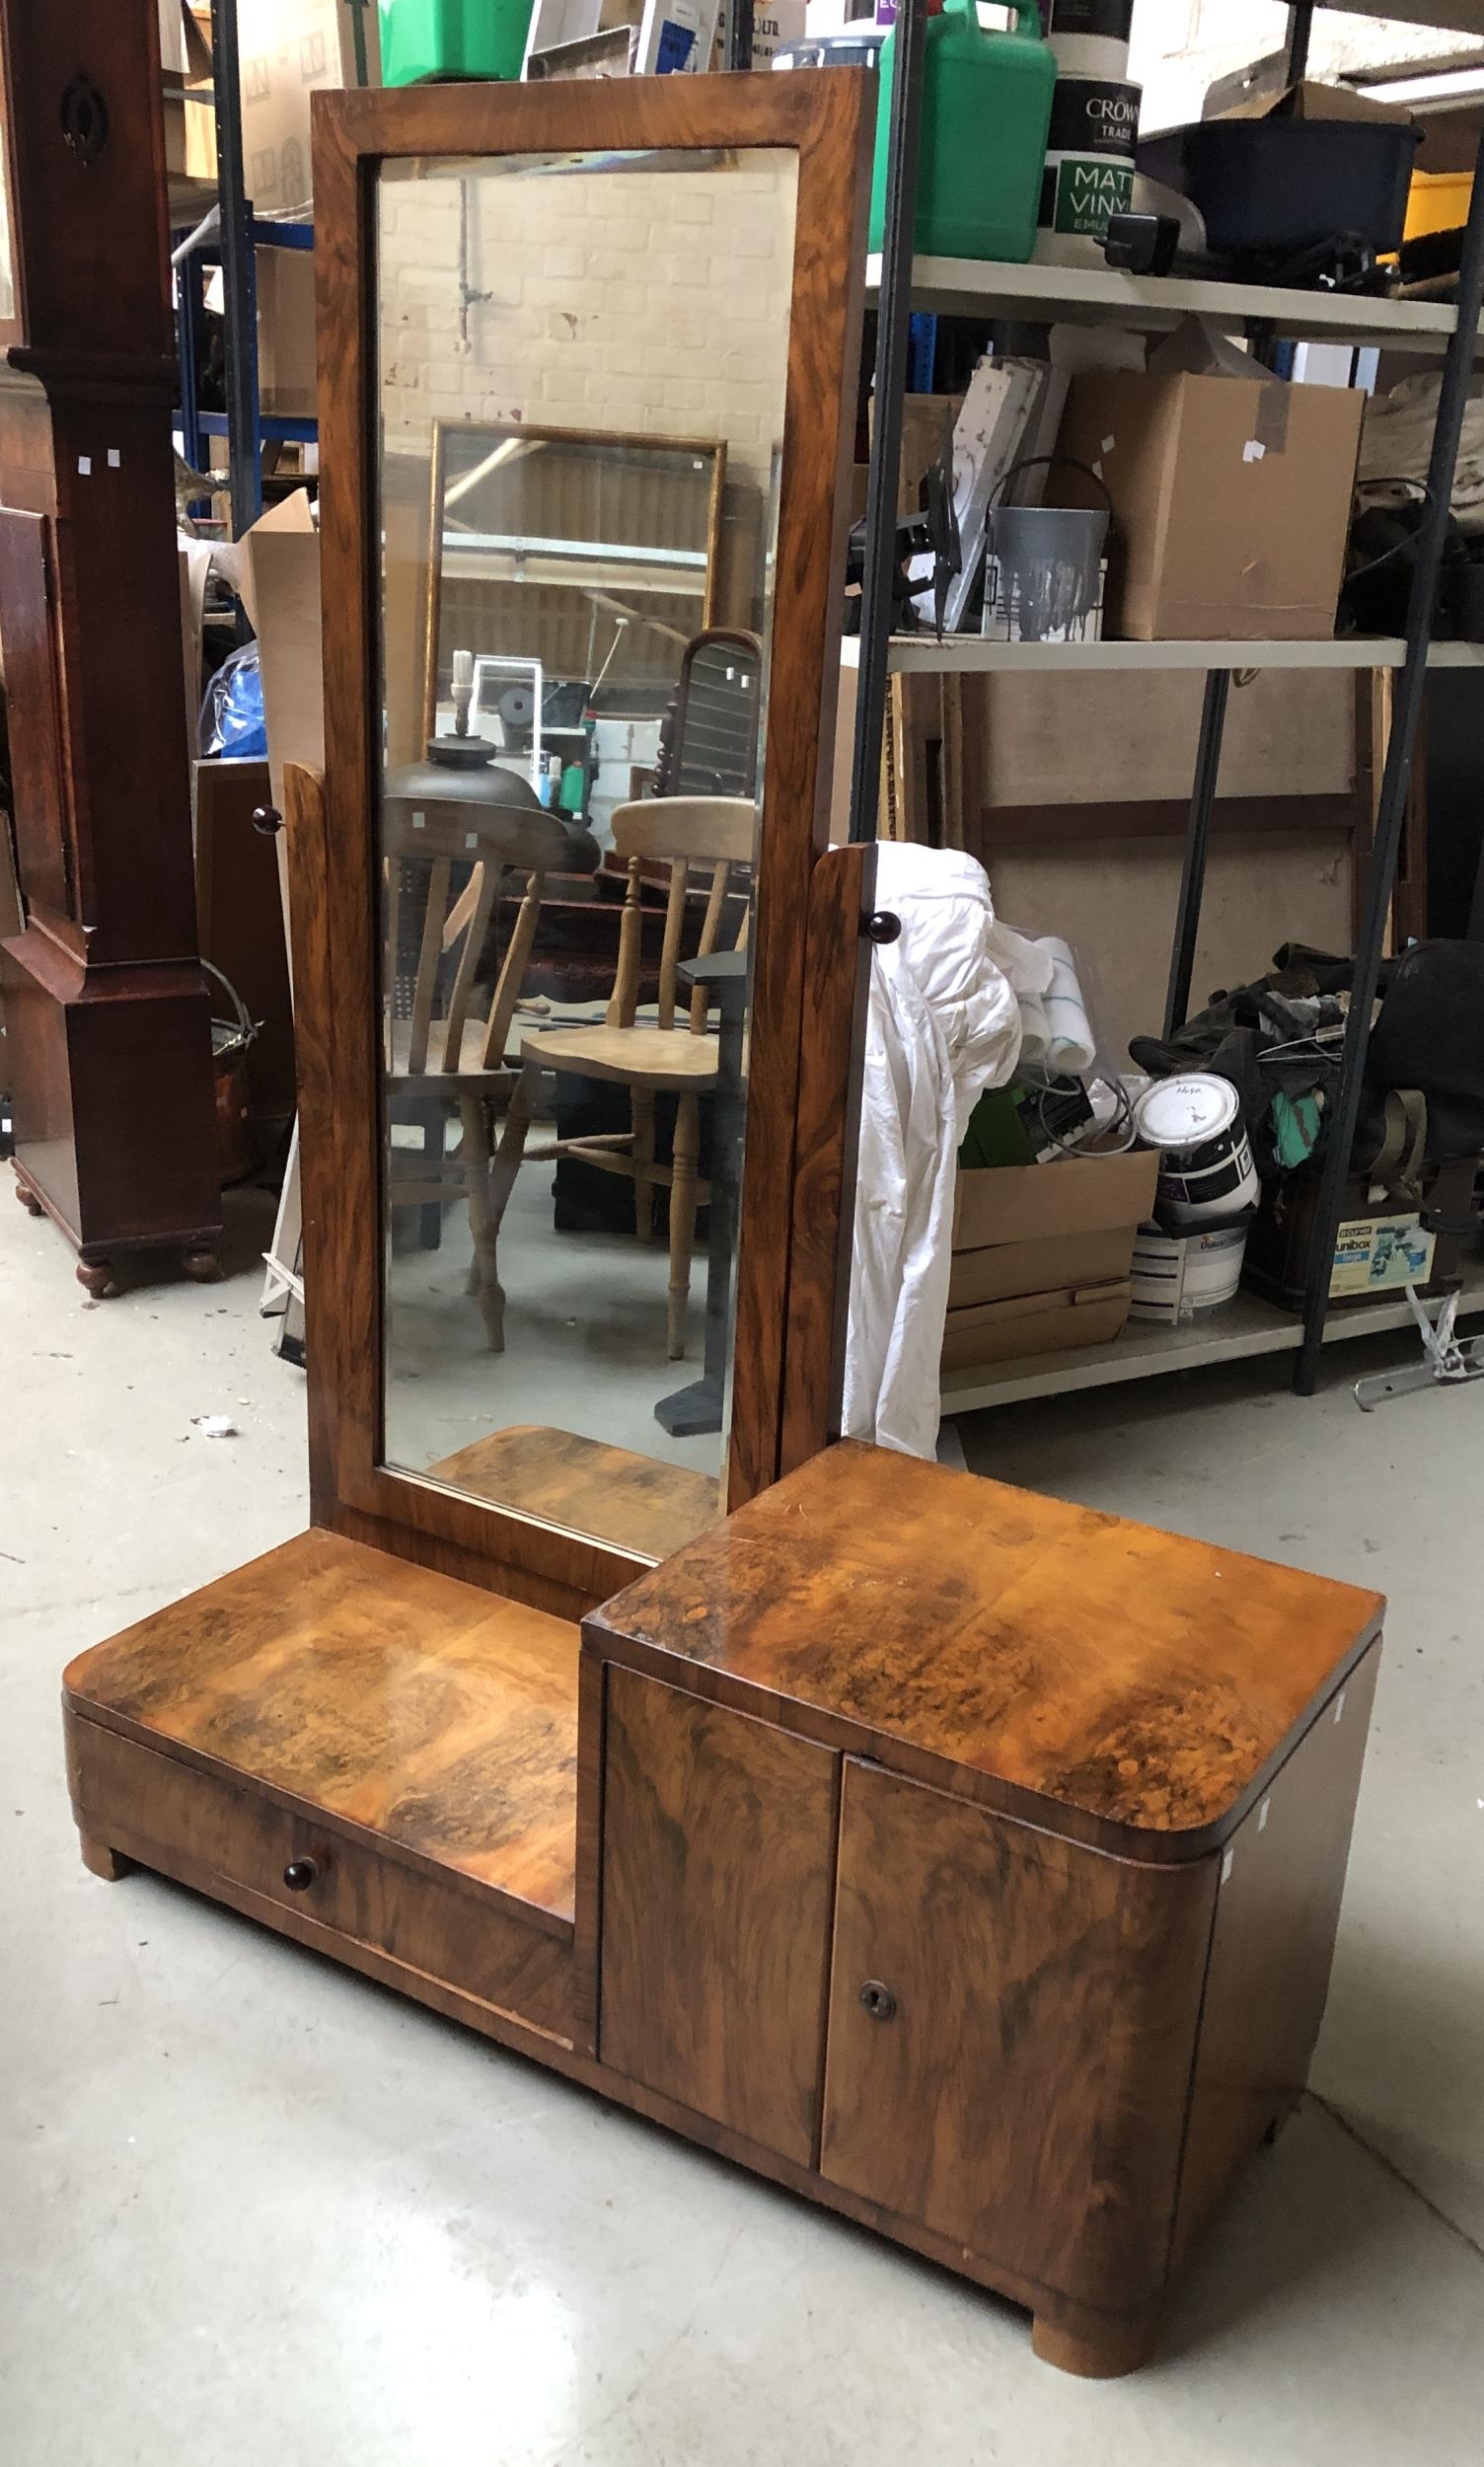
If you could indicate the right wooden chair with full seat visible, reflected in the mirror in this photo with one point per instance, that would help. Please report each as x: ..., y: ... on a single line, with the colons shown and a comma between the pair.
x: 674, y: 1055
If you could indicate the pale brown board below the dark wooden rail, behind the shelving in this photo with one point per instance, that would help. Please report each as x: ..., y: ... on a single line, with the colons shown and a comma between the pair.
x: 1115, y: 904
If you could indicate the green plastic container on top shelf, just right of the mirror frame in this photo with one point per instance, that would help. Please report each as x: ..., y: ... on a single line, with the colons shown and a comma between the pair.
x: 985, y: 125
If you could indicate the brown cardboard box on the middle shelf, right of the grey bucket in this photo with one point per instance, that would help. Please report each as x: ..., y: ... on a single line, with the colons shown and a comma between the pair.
x: 1231, y: 502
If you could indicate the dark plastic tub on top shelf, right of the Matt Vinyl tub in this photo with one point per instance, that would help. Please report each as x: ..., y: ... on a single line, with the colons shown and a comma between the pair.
x: 1271, y: 186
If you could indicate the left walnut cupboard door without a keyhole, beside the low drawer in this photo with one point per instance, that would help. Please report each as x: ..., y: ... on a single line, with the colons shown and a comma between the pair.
x: 719, y: 1854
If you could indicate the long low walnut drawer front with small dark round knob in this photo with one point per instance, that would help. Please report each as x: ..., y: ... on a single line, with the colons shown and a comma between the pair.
x: 169, y: 1814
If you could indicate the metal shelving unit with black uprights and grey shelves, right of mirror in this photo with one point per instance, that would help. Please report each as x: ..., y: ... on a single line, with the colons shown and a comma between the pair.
x: 970, y: 287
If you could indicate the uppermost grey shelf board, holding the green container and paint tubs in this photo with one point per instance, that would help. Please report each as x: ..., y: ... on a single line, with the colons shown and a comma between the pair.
x: 1155, y: 302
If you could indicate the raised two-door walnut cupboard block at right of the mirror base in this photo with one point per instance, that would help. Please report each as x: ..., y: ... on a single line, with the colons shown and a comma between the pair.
x: 1064, y: 1812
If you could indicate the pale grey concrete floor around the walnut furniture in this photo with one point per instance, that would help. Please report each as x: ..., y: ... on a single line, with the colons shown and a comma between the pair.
x: 260, y: 2212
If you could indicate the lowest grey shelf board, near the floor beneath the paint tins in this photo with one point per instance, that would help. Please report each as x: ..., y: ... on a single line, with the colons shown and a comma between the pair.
x: 1241, y: 1328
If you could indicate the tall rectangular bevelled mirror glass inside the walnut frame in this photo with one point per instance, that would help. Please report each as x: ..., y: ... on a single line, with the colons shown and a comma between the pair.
x: 583, y: 371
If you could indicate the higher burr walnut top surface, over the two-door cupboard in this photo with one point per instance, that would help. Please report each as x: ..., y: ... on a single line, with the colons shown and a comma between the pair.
x: 1103, y: 1666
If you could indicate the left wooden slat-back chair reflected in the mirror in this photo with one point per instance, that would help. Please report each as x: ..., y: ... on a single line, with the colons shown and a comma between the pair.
x: 445, y: 1047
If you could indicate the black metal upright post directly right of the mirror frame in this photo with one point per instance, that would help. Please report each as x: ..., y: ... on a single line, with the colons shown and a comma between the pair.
x: 891, y: 384
